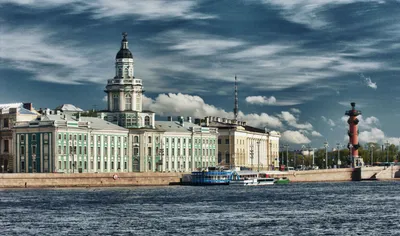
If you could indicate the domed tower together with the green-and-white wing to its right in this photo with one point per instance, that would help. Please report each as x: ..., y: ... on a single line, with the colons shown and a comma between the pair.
x: 155, y: 146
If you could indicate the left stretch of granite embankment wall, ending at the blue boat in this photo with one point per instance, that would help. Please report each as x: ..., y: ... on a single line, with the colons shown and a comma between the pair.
x: 87, y: 180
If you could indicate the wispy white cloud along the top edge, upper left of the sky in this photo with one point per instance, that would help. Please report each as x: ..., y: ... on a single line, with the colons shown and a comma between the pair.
x: 145, y: 10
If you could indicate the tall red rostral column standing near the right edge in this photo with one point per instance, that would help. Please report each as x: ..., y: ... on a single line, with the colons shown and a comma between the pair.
x: 353, y: 133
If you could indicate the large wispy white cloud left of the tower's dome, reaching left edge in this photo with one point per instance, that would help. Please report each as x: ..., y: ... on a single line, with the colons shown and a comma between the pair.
x: 48, y: 59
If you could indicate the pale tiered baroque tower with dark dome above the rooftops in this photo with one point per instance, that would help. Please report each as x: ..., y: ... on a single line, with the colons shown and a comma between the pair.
x: 125, y: 93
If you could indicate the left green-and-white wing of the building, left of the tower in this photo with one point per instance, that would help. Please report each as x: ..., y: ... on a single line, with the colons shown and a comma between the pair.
x: 63, y: 143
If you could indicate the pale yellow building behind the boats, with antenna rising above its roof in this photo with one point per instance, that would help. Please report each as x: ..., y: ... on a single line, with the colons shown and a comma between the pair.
x: 240, y: 145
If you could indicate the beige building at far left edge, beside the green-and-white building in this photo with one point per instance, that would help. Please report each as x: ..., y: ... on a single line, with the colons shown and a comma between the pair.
x: 9, y: 114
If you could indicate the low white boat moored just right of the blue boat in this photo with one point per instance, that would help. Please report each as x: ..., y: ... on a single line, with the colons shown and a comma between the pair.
x: 250, y: 178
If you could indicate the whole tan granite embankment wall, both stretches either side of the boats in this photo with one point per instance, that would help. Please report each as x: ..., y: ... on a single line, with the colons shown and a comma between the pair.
x: 160, y: 179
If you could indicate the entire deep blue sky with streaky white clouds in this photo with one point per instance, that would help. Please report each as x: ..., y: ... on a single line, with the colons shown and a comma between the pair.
x: 299, y: 63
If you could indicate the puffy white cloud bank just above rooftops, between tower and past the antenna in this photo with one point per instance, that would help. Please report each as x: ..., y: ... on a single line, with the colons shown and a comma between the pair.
x: 188, y: 105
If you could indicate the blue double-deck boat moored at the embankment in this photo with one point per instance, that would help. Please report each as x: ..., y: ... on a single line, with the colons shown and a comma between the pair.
x: 210, y: 176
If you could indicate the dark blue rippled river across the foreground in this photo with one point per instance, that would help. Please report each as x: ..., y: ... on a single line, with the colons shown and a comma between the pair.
x: 347, y: 208
